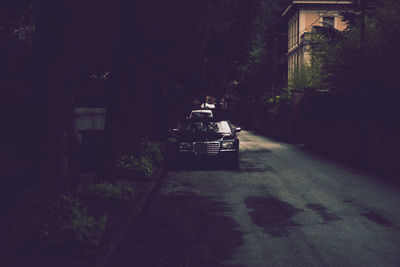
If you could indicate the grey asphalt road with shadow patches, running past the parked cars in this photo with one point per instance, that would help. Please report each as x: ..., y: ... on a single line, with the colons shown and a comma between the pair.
x: 283, y: 207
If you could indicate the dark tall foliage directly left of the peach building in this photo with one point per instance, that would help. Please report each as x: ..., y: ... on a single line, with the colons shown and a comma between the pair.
x: 265, y: 68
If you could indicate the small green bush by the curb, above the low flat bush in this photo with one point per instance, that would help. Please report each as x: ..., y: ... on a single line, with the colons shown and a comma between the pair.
x: 129, y: 166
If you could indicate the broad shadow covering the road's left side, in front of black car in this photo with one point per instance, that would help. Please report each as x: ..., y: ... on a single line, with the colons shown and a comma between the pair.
x: 180, y: 229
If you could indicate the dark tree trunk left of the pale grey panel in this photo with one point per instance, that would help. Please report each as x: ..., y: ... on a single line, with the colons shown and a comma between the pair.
x: 54, y: 105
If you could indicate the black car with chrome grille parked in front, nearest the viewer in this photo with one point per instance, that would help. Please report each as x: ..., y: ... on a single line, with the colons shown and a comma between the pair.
x: 208, y: 138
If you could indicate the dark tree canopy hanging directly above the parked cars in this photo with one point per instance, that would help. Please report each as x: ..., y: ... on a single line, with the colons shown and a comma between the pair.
x: 209, y: 41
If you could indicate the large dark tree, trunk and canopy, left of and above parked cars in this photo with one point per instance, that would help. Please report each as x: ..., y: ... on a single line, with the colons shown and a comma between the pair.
x: 167, y: 54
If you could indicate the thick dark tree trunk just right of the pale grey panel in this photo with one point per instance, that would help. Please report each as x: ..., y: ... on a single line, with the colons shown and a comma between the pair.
x: 127, y: 112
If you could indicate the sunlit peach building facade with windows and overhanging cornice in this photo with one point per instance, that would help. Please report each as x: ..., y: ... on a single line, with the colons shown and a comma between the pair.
x: 302, y: 16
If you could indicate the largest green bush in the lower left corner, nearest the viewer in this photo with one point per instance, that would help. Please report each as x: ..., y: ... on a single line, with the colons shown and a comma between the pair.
x: 58, y: 225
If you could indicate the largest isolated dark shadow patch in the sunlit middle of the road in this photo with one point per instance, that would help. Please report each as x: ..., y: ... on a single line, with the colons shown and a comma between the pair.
x: 273, y: 215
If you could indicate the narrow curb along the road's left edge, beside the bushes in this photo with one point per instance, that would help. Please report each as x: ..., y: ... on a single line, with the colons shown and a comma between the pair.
x: 105, y: 257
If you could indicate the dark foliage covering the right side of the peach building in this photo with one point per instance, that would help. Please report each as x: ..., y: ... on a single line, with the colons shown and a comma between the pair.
x: 358, y: 59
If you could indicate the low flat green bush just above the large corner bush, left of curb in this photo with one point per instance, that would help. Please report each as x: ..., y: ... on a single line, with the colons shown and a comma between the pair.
x: 105, y: 192
